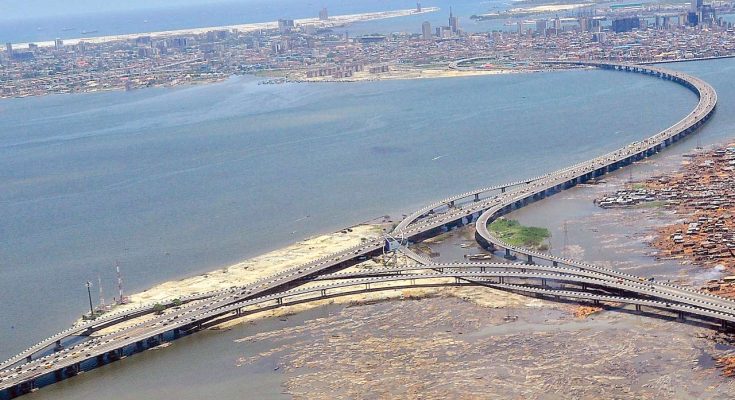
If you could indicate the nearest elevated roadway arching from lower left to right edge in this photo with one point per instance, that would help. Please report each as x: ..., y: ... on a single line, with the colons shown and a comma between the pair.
x: 598, y: 290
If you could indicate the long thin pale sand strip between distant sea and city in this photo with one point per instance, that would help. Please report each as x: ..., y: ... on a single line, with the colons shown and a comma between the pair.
x: 333, y: 21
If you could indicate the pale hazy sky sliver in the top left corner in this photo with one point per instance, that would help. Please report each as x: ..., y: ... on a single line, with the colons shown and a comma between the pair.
x: 17, y: 9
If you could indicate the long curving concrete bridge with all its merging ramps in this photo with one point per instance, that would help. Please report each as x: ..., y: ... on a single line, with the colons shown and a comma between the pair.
x: 540, y: 274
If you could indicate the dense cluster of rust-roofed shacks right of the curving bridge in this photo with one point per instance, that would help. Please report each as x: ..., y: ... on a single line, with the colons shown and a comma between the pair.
x: 703, y: 194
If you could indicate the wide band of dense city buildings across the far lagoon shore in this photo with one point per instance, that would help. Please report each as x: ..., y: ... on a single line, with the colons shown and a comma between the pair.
x: 313, y: 52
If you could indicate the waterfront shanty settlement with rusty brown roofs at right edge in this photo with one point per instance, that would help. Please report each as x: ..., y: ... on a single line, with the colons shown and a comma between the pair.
x: 691, y: 228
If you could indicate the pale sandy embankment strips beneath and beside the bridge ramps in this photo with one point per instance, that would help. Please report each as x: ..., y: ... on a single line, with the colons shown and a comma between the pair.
x: 250, y: 270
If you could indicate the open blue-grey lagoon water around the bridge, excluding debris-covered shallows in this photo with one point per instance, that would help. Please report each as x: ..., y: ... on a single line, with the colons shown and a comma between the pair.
x: 172, y: 182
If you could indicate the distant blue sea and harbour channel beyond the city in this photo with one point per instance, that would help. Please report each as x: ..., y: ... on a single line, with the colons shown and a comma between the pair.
x: 106, y: 22
